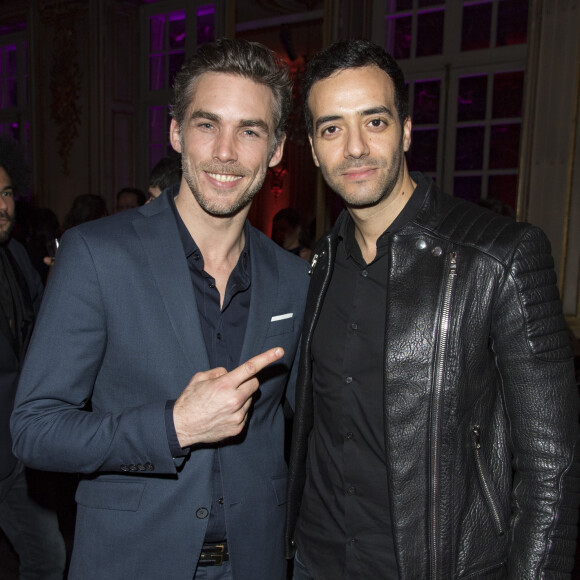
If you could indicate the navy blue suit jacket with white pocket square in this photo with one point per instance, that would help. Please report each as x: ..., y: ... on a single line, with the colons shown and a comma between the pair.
x: 119, y: 328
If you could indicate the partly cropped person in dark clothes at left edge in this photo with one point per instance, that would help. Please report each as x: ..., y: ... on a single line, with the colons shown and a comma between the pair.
x: 31, y: 527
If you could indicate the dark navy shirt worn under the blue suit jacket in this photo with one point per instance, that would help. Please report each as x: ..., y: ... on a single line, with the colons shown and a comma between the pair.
x: 223, y: 332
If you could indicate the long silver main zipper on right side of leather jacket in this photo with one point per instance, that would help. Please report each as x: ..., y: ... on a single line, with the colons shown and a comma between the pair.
x: 443, y: 336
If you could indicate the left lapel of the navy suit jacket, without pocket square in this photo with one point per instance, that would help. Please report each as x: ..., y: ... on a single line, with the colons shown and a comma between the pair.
x: 158, y: 232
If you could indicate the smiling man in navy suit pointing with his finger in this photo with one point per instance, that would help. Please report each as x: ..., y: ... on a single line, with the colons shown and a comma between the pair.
x: 183, y: 471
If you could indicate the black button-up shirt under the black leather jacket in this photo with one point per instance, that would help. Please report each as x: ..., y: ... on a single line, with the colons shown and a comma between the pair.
x: 344, y: 528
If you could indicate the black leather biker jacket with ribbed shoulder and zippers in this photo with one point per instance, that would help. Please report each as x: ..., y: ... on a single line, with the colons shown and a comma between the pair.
x: 480, y: 403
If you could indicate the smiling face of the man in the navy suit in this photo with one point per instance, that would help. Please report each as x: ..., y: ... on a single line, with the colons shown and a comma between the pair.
x: 227, y: 142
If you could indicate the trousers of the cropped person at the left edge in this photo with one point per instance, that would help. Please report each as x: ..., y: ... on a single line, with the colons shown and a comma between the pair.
x: 32, y: 529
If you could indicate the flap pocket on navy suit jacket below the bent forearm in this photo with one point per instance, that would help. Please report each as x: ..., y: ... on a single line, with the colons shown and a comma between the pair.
x: 110, y: 495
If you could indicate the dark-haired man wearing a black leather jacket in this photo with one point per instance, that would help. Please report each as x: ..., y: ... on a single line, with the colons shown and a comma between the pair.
x: 436, y: 411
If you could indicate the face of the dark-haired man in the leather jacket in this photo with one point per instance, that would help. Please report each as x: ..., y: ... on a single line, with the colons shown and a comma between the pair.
x: 357, y: 140
